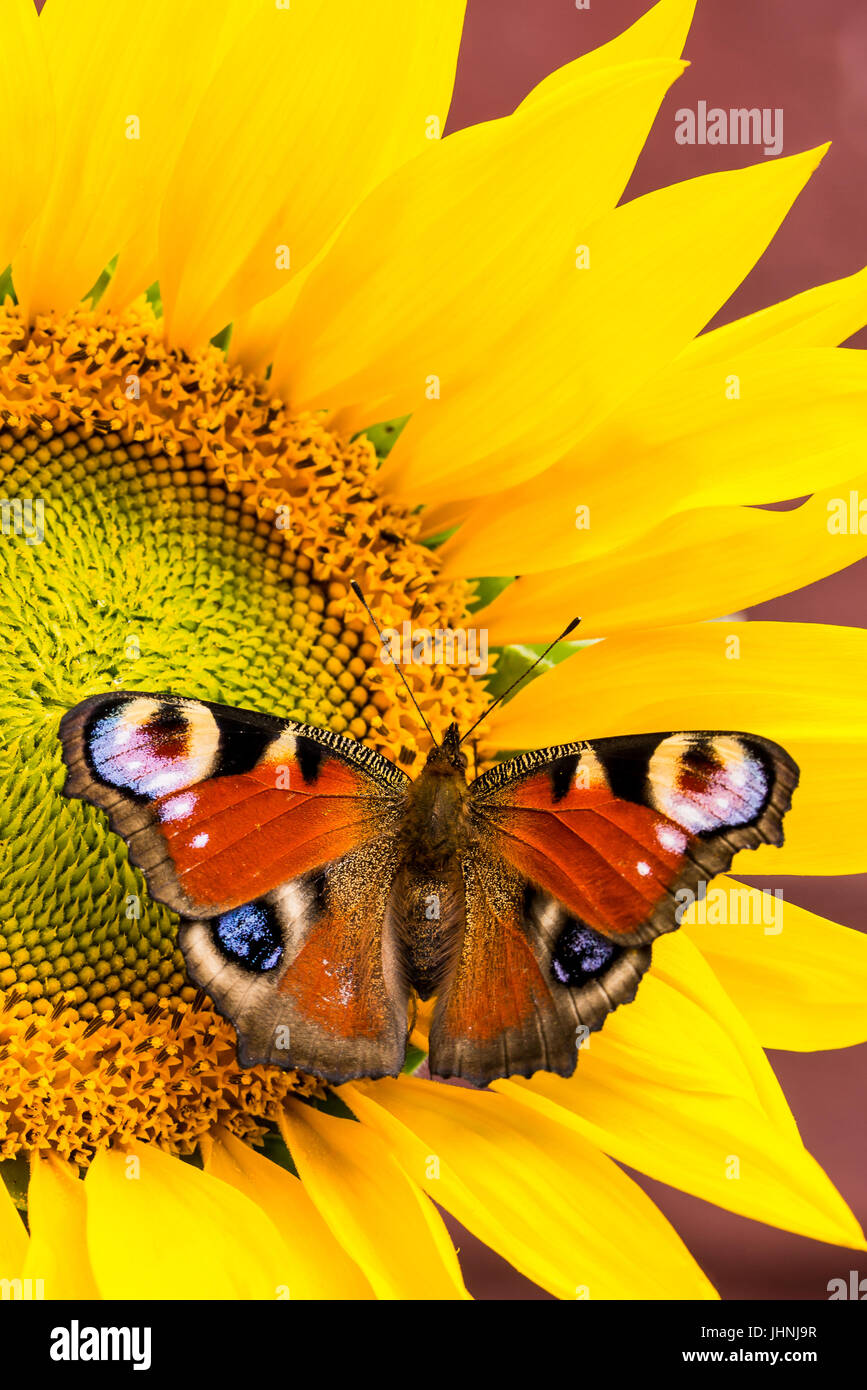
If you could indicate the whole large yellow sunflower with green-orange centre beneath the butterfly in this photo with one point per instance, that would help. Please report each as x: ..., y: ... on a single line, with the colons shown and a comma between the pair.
x: 231, y: 286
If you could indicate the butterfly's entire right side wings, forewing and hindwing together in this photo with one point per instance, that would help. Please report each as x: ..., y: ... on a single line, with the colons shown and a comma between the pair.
x: 576, y: 867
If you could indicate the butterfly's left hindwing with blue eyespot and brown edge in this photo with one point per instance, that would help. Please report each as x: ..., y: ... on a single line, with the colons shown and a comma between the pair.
x: 311, y: 975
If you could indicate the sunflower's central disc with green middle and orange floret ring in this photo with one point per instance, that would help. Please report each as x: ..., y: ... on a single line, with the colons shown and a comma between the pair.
x: 169, y: 526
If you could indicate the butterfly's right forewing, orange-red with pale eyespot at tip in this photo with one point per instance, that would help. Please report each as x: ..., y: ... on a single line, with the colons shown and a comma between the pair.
x: 612, y: 829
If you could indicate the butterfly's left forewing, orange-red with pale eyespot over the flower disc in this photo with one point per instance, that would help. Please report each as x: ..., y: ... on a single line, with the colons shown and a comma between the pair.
x: 220, y: 807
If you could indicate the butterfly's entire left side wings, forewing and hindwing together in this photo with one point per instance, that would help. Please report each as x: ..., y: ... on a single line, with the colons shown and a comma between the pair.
x: 276, y: 843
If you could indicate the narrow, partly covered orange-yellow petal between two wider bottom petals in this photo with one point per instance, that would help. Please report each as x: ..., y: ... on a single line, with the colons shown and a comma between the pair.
x: 317, y: 1267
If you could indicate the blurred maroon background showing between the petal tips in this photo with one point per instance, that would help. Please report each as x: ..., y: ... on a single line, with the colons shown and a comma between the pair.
x: 811, y: 60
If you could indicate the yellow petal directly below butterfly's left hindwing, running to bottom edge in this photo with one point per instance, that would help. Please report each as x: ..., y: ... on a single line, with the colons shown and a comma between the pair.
x: 381, y: 1218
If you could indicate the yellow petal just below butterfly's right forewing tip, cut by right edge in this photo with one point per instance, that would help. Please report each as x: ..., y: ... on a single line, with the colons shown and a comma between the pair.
x: 800, y: 982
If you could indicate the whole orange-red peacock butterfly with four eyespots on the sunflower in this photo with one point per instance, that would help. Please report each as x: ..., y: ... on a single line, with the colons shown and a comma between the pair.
x: 320, y: 889
